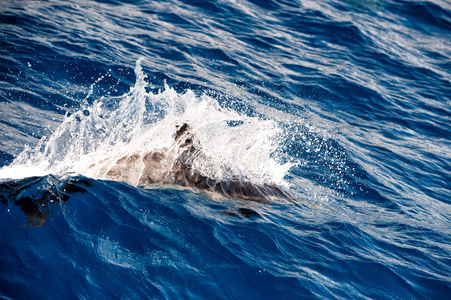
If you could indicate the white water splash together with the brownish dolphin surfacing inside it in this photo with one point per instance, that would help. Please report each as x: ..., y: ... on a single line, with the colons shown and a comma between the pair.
x: 143, y: 138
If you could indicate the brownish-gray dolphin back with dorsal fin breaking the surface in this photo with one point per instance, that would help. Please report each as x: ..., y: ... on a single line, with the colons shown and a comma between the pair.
x: 174, y: 166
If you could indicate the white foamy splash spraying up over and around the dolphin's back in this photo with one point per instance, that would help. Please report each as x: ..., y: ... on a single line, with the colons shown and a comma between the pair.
x: 139, y: 122
